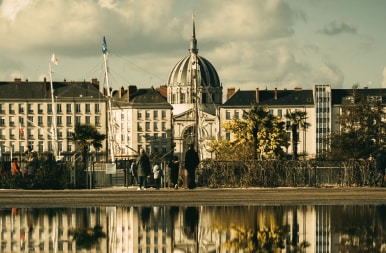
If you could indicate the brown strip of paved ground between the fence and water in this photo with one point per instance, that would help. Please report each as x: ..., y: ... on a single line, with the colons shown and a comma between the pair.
x: 122, y: 196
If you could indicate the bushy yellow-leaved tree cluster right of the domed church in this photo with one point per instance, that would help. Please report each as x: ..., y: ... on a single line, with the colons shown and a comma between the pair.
x: 258, y: 134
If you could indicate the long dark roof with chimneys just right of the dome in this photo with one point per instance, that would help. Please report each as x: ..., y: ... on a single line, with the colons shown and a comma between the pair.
x: 268, y: 97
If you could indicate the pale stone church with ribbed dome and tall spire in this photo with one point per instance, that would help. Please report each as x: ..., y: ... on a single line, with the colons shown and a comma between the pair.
x: 194, y: 90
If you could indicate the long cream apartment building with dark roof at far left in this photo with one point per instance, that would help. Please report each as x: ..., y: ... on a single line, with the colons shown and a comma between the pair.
x: 27, y: 111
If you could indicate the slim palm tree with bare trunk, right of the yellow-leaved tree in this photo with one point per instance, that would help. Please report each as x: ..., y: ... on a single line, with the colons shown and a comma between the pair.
x: 297, y: 120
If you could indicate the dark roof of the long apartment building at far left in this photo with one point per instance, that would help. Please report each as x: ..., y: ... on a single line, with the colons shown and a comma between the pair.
x: 42, y: 90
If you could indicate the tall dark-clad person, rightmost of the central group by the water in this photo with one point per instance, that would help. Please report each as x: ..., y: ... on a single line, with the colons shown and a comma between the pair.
x: 191, y: 163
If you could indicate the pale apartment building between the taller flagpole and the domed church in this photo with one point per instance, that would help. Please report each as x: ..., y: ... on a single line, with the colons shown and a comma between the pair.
x: 142, y: 119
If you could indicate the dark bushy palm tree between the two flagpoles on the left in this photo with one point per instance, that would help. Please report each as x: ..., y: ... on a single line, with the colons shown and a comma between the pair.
x: 85, y: 136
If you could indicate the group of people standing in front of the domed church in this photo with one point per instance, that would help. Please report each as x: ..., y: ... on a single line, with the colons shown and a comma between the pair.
x: 140, y: 169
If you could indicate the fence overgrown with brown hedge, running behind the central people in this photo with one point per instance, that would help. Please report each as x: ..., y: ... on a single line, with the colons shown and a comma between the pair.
x: 268, y: 173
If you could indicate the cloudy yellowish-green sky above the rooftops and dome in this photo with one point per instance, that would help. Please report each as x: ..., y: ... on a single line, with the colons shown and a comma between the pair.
x: 252, y: 43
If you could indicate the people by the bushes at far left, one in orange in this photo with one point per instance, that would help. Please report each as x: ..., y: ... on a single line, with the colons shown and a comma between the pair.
x: 31, y: 164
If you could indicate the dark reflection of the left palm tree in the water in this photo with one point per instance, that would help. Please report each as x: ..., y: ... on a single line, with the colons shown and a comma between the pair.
x: 86, y: 238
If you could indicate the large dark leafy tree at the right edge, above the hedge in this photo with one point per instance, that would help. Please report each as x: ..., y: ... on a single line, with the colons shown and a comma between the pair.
x: 362, y: 130
